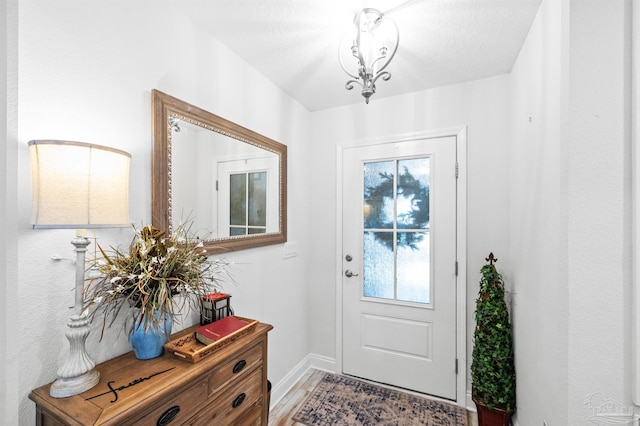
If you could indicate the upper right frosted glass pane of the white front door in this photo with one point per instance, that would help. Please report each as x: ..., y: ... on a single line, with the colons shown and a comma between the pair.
x: 413, y: 194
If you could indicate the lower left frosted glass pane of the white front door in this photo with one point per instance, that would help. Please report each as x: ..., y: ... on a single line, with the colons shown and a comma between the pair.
x: 378, y: 265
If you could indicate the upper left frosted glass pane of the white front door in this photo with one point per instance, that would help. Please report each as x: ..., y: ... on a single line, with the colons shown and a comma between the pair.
x: 378, y: 195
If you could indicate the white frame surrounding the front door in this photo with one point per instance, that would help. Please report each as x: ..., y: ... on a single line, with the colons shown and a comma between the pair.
x: 461, y: 244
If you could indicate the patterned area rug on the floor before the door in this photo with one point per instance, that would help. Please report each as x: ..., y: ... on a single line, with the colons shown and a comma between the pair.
x: 343, y: 401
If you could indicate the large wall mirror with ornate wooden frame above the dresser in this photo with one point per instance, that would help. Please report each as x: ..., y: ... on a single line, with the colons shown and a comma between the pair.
x: 228, y: 182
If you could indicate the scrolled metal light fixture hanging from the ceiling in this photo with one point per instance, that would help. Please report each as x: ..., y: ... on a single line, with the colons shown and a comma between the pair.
x: 374, y: 42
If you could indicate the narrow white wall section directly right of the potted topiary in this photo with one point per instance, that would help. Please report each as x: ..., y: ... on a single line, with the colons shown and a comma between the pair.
x: 538, y: 211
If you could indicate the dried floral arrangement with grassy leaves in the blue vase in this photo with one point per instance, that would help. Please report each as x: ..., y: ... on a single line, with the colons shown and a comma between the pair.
x: 160, y: 274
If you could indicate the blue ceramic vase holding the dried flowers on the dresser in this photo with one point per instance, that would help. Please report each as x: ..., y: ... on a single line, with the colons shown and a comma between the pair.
x: 148, y: 341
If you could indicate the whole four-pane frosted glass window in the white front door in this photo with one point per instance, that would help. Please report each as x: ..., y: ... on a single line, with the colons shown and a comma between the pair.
x: 396, y: 230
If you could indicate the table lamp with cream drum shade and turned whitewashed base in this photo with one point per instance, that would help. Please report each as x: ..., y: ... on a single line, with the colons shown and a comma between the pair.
x: 76, y: 185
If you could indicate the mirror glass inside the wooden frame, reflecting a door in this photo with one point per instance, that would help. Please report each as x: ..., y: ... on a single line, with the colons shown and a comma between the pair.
x: 226, y: 188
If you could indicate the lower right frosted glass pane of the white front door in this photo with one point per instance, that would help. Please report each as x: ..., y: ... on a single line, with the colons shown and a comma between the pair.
x: 413, y: 267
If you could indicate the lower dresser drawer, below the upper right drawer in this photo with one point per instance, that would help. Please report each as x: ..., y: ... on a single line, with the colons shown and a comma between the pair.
x: 240, y: 402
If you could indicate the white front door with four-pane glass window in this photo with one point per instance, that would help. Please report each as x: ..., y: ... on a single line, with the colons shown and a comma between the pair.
x: 399, y: 264
